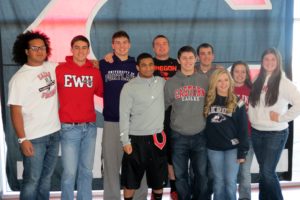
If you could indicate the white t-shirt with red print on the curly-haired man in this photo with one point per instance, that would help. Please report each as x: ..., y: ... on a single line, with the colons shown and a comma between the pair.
x: 35, y: 89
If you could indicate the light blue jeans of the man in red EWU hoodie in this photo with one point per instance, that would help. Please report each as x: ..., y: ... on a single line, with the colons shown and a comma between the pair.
x: 78, y: 150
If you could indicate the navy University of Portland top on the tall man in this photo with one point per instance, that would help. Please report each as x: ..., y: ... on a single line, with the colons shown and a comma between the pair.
x: 114, y: 76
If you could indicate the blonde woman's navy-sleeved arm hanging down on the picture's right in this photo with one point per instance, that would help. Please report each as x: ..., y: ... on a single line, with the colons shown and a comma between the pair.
x: 242, y: 128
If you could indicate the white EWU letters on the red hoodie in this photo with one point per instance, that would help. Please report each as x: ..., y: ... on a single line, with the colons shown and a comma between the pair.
x: 78, y: 81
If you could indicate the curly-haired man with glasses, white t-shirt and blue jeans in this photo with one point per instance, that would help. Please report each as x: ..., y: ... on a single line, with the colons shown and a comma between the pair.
x: 33, y: 104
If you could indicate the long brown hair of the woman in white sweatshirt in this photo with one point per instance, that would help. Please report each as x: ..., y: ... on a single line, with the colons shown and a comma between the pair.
x: 273, y: 82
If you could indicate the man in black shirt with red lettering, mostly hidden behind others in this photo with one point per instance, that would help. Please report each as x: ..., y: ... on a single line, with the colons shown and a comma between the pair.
x: 166, y: 67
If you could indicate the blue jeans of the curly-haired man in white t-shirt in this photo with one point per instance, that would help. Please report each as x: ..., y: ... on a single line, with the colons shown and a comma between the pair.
x: 39, y: 168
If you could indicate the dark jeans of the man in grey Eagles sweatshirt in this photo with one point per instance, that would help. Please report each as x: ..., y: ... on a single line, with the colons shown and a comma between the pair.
x: 193, y: 149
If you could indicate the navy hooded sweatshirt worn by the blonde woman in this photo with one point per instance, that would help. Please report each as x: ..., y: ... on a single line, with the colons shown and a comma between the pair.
x: 225, y: 130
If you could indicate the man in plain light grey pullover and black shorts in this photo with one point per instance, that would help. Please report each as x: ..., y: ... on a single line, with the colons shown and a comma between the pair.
x: 141, y: 128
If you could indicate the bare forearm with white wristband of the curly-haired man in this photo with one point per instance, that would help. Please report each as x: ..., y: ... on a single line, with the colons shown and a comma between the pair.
x: 18, y: 123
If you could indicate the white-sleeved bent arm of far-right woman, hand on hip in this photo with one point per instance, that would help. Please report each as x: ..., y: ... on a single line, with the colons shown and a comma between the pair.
x: 292, y: 94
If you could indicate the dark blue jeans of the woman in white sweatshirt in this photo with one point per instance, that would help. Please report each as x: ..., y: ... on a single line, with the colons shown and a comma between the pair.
x: 268, y: 146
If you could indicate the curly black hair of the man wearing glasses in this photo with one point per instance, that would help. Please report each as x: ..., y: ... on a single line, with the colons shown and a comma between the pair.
x: 22, y: 43
